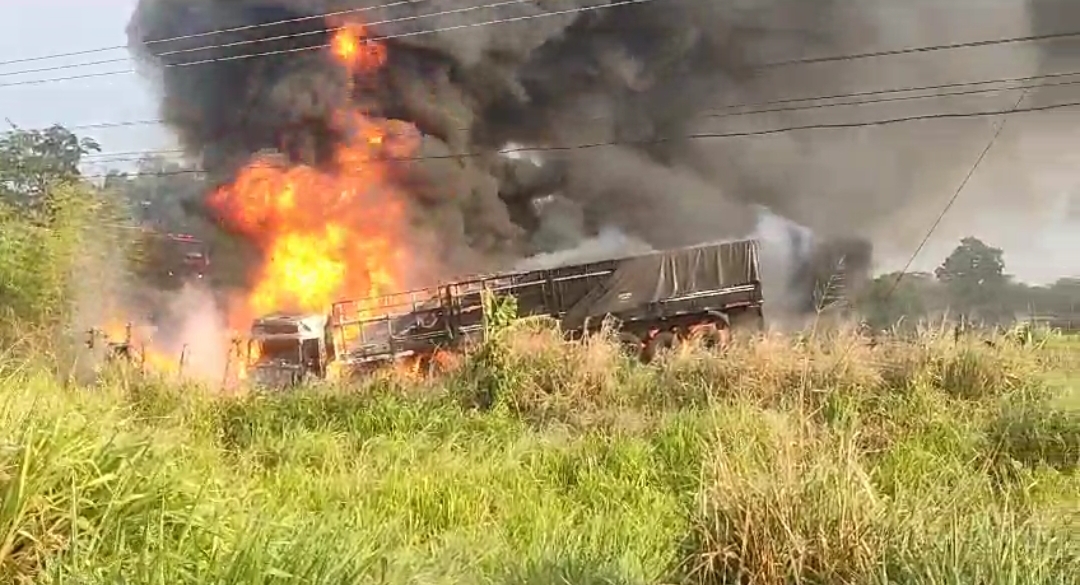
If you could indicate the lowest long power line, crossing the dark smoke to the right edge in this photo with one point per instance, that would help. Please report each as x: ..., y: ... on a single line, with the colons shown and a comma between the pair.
x: 698, y: 137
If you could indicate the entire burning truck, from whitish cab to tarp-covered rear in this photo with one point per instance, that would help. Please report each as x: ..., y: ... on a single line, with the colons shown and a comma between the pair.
x: 658, y: 301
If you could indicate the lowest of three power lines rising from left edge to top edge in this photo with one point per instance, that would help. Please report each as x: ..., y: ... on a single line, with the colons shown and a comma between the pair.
x: 327, y: 46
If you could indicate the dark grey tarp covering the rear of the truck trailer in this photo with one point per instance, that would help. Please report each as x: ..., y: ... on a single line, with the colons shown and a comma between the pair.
x: 667, y: 276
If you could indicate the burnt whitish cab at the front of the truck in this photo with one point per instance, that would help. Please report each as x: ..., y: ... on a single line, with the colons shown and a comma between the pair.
x: 286, y: 349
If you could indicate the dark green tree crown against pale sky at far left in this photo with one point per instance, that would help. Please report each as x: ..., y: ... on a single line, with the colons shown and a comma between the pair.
x: 32, y: 160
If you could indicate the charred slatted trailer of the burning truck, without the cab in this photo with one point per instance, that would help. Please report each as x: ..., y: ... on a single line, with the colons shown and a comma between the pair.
x: 657, y: 300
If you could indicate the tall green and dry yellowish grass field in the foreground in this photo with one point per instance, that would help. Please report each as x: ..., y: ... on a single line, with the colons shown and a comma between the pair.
x: 818, y: 461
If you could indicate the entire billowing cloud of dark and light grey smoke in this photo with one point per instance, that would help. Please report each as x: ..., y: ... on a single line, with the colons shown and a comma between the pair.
x: 642, y: 75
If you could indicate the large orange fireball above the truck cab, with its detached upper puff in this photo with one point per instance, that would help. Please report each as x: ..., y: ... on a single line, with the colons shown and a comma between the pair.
x: 331, y: 233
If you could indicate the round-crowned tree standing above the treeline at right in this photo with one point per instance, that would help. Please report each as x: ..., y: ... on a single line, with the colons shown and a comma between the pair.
x: 975, y: 278
